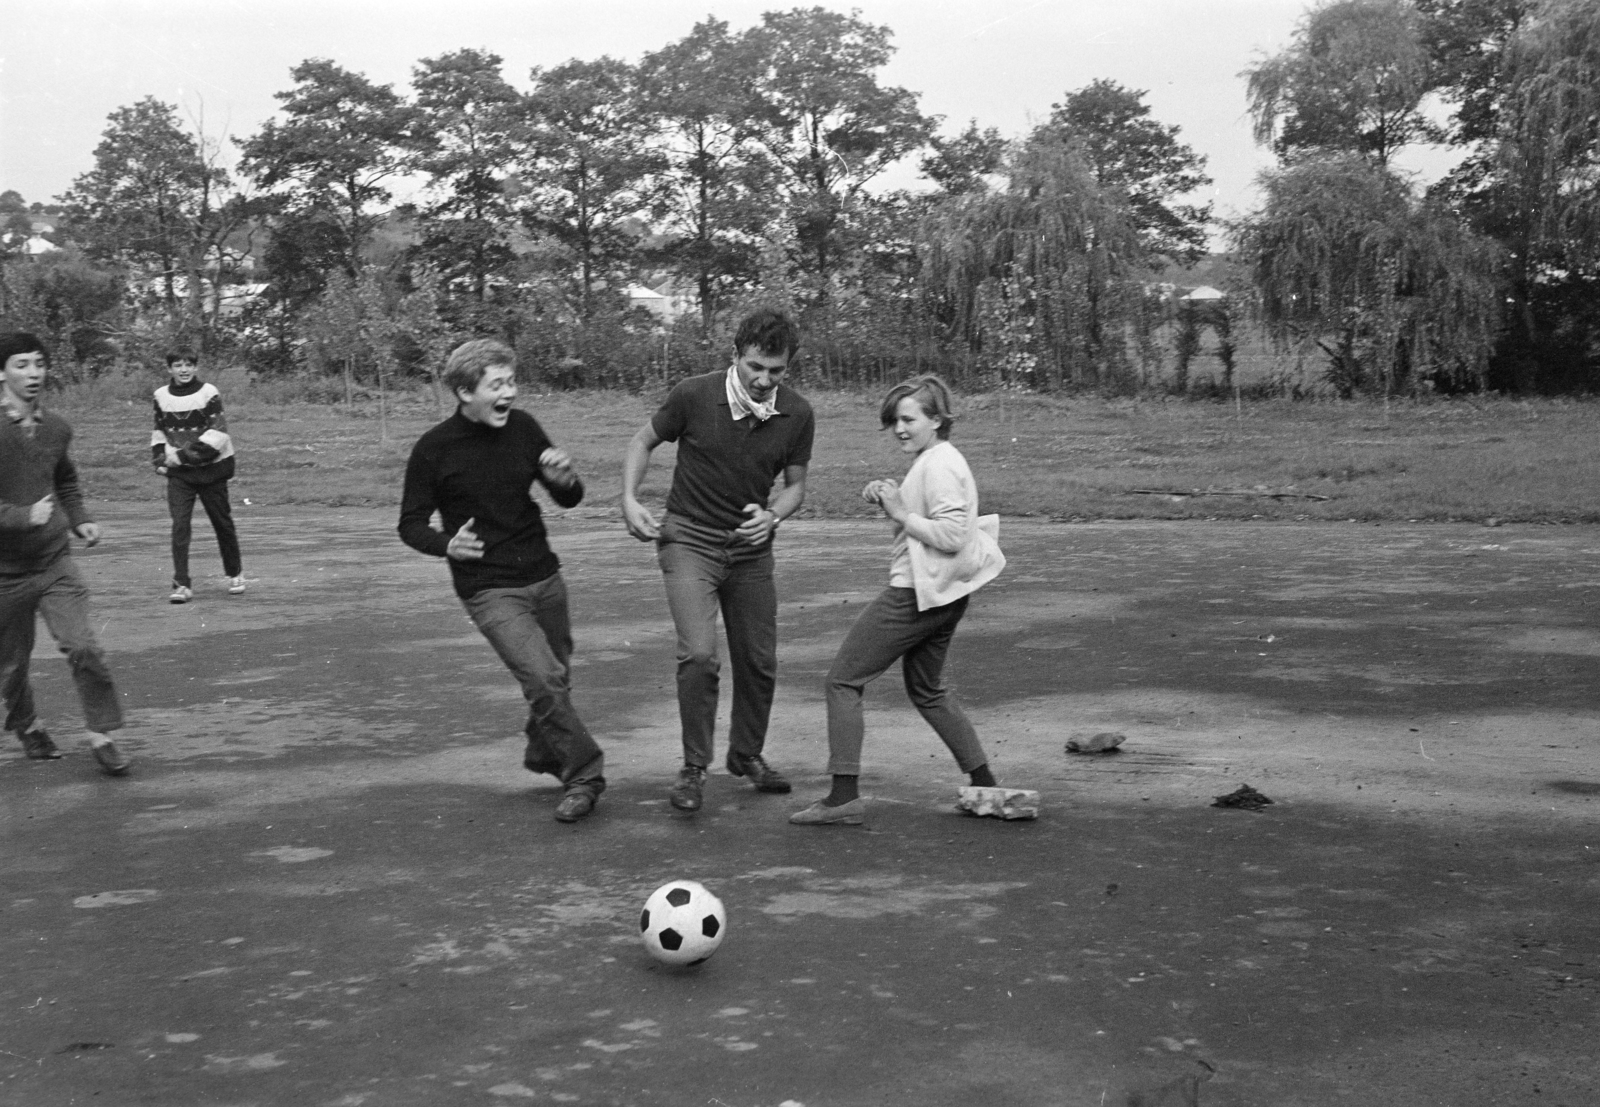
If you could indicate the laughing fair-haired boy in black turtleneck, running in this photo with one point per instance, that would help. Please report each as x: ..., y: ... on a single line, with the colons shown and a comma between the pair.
x: 478, y: 470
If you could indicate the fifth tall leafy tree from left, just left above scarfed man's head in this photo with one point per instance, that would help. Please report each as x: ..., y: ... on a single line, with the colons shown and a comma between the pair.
x: 718, y: 191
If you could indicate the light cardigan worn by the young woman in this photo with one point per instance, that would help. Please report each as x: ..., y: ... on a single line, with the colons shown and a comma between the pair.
x: 945, y: 546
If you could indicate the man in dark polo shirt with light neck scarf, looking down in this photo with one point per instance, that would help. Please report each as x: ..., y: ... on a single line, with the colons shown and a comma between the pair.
x: 737, y: 433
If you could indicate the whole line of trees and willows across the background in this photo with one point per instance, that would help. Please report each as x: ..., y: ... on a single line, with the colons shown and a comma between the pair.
x: 364, y: 231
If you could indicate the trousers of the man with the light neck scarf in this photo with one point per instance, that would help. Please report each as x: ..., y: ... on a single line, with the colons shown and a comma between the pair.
x: 706, y: 570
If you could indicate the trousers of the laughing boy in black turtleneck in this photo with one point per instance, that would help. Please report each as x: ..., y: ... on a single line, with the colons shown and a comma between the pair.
x: 532, y: 633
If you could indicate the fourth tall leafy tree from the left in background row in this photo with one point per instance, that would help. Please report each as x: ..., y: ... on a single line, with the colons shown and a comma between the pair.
x: 591, y: 172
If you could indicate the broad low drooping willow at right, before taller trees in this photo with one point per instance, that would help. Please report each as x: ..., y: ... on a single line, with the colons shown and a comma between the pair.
x: 1391, y: 289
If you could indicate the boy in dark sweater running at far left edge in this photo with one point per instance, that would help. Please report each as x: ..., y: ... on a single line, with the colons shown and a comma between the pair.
x: 41, y: 511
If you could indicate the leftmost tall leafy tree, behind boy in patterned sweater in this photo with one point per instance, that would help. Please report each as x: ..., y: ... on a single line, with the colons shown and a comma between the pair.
x: 156, y: 204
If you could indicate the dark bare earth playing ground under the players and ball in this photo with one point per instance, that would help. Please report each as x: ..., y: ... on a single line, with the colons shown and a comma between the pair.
x: 329, y: 881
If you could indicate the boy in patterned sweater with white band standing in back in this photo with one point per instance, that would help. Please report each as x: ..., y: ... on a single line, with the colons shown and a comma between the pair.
x: 191, y: 447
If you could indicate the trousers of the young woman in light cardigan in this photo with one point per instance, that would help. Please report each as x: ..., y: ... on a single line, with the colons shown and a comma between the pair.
x: 894, y: 628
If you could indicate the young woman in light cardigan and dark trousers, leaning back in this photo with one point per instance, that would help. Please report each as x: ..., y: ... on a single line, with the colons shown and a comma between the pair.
x: 943, y: 553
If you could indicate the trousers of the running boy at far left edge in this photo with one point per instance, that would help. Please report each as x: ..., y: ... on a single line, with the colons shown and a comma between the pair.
x: 60, y: 596
